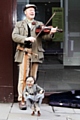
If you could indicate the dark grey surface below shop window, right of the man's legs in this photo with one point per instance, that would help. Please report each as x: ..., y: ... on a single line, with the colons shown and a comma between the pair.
x: 54, y: 77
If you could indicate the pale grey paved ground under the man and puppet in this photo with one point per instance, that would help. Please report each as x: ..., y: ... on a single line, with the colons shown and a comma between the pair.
x: 11, y: 111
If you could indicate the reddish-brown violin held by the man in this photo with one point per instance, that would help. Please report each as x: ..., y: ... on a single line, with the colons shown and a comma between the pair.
x: 45, y: 29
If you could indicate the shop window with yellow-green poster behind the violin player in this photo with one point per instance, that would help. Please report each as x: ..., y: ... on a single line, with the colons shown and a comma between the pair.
x: 65, y: 46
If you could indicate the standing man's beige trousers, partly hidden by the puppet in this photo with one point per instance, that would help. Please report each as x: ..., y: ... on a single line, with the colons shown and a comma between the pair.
x: 24, y: 72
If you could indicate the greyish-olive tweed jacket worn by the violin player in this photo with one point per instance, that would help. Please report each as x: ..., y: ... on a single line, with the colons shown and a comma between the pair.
x: 19, y: 34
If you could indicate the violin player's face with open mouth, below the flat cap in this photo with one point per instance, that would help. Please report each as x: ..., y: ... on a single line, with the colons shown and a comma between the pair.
x: 30, y: 13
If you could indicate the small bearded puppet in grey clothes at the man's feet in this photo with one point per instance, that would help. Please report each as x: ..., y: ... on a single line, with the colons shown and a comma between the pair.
x: 33, y: 95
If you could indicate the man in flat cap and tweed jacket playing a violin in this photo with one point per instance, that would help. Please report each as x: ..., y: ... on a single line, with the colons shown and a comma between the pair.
x: 24, y: 33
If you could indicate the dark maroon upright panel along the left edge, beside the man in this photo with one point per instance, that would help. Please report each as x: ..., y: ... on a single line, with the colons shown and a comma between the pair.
x: 6, y: 50
